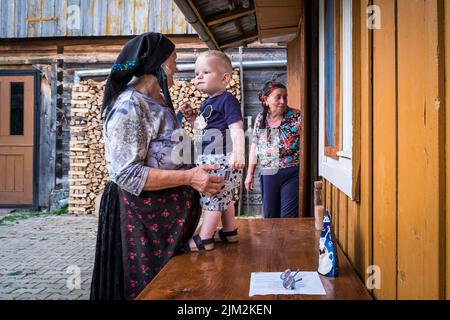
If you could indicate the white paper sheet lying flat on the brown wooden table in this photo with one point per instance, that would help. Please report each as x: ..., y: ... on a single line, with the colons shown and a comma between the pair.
x: 265, y: 283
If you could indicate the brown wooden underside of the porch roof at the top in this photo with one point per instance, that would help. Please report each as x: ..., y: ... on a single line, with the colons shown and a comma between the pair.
x: 232, y: 23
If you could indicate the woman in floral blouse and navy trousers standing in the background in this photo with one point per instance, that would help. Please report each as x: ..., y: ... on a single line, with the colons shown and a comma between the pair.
x: 275, y: 148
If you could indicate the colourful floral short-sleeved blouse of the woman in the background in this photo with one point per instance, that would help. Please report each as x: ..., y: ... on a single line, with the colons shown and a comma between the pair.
x: 278, y: 147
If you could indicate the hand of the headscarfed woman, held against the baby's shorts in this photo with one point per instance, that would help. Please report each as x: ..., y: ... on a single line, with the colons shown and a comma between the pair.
x: 204, y: 182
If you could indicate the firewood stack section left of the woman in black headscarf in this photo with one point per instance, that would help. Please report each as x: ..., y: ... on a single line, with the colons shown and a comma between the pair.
x: 88, y: 173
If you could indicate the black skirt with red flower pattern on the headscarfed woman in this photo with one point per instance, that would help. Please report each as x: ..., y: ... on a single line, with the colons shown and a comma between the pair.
x: 137, y: 235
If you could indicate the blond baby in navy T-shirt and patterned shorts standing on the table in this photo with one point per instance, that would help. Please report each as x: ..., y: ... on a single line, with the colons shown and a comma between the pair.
x: 220, y: 141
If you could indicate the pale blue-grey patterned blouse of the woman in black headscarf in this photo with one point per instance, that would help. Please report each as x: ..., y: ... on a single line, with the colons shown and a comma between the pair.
x: 138, y: 136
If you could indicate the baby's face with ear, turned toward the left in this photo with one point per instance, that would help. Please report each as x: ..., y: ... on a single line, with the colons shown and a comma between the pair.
x: 210, y: 76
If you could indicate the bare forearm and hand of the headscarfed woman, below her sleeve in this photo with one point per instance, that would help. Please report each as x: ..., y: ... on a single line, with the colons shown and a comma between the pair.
x: 198, y: 178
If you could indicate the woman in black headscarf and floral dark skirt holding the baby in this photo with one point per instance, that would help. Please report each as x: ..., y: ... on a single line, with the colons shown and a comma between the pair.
x: 150, y: 207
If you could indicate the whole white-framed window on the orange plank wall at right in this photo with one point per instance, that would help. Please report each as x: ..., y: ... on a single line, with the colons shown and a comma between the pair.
x: 335, y: 93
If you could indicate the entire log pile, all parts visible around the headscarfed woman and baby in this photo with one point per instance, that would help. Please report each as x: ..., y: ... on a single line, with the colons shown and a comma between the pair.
x: 88, y: 173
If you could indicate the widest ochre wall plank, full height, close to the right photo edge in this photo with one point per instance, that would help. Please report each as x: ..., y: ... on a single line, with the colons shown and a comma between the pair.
x: 418, y: 151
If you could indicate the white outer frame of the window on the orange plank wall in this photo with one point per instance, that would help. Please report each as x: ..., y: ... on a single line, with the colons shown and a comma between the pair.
x: 337, y: 167
